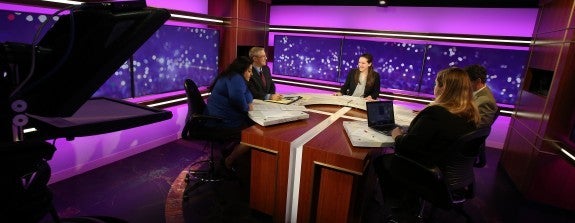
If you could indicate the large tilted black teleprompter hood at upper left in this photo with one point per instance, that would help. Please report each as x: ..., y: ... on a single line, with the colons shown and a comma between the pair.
x: 81, y: 51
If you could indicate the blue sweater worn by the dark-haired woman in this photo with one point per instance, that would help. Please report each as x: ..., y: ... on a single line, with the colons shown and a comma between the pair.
x: 229, y: 100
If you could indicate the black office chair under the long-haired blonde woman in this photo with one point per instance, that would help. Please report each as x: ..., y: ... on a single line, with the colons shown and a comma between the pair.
x: 447, y: 187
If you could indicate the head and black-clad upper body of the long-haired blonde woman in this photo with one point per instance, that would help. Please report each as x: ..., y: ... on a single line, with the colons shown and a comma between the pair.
x: 451, y: 115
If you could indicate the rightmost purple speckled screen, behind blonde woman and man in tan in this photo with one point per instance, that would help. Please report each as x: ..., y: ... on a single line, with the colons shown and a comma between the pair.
x: 505, y: 67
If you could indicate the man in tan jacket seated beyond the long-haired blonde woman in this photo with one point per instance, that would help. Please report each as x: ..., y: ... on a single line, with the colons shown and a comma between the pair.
x: 482, y: 95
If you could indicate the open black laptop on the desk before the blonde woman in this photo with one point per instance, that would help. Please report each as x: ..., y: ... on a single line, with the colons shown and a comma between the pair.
x: 380, y: 116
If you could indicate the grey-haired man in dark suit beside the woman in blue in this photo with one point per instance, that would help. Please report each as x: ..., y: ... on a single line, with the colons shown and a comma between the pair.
x: 261, y: 84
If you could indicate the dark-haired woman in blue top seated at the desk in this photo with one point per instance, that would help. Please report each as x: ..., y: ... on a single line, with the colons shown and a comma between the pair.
x: 231, y: 100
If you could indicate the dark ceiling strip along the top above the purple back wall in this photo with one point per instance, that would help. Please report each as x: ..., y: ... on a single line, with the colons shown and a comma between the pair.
x: 421, y: 3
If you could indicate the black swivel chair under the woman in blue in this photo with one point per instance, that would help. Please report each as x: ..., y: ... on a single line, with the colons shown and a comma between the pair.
x: 195, y: 129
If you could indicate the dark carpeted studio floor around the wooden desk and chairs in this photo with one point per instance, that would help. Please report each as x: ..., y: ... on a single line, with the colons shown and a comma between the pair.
x: 150, y: 187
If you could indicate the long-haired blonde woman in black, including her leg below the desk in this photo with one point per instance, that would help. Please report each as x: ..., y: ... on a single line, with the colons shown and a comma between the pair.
x: 451, y: 115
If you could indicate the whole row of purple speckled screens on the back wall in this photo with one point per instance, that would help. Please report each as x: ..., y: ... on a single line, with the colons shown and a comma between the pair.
x: 402, y: 66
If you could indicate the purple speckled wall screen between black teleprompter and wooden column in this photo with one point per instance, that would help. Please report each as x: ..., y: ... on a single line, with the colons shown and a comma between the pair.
x: 173, y: 54
